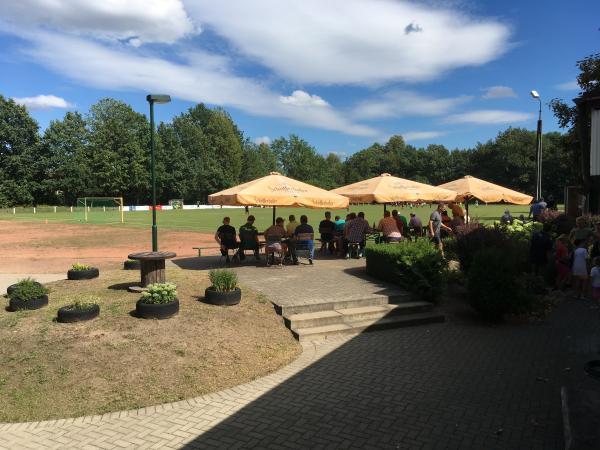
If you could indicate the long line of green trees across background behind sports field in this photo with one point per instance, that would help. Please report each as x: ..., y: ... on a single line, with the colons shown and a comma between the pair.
x: 105, y: 152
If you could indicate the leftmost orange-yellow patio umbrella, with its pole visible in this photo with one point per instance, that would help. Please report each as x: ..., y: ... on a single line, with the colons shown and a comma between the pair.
x: 277, y: 190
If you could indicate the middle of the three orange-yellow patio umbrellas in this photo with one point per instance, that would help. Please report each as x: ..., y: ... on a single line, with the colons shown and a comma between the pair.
x: 388, y: 189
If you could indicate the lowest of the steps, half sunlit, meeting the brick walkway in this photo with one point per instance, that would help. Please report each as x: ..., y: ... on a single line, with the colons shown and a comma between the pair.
x: 395, y: 321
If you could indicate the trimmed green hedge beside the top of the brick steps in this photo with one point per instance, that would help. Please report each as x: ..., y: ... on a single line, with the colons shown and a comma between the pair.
x: 416, y: 266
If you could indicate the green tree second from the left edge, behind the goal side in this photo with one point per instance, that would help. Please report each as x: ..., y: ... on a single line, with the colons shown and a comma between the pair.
x: 67, y: 159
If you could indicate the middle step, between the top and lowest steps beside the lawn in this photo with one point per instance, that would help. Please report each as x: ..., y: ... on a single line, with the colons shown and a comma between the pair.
x: 323, y: 318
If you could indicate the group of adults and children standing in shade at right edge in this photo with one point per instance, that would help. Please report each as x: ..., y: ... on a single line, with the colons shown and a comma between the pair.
x: 574, y: 257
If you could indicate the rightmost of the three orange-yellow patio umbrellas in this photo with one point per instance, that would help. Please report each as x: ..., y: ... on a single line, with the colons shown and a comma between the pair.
x: 469, y: 187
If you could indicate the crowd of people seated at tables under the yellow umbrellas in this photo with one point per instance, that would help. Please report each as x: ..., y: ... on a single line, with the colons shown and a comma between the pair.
x: 344, y: 237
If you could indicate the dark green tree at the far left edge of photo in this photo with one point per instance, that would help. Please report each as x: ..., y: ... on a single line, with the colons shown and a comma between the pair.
x: 19, y: 151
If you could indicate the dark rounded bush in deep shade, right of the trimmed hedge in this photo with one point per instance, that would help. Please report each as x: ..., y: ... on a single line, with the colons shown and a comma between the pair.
x: 496, y: 288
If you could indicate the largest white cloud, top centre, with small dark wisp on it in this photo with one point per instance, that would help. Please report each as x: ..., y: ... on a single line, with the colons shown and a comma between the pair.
x: 352, y: 41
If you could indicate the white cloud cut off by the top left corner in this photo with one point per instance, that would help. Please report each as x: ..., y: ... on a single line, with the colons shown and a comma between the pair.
x: 136, y: 21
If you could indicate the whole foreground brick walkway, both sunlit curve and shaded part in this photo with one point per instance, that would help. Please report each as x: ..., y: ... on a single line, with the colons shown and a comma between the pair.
x: 459, y: 385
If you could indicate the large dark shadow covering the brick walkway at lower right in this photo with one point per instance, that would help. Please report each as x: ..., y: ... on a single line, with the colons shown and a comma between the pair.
x: 437, y: 386
